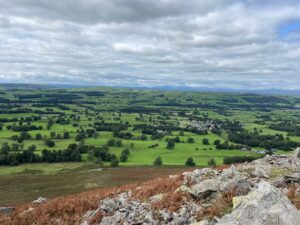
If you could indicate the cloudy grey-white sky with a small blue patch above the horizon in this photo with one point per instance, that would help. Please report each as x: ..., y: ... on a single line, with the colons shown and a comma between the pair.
x: 236, y: 44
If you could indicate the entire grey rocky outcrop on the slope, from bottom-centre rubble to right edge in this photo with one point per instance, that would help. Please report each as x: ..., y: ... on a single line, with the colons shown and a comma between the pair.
x: 256, y: 201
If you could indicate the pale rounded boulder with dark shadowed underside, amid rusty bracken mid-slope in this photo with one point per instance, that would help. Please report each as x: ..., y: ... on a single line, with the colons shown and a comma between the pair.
x: 205, y: 188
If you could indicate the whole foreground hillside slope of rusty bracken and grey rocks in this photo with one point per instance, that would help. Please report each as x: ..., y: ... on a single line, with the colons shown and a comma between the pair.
x: 263, y: 192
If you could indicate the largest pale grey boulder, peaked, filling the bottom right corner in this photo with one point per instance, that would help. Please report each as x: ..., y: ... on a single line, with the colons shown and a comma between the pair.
x: 265, y: 205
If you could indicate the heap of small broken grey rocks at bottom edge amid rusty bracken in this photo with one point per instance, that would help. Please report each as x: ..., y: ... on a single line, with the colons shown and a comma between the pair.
x: 124, y: 210
